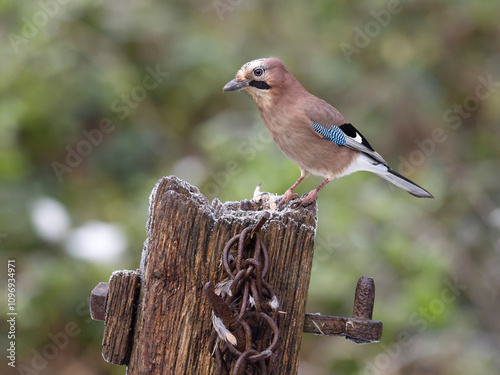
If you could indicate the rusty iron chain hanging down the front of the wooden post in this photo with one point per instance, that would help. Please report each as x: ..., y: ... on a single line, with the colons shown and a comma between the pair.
x: 244, y: 308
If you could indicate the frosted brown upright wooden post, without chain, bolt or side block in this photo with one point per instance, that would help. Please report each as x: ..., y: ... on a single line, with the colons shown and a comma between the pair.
x: 186, y: 235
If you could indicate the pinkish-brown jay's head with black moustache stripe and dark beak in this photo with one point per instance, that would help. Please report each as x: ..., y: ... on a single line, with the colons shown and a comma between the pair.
x: 261, y: 78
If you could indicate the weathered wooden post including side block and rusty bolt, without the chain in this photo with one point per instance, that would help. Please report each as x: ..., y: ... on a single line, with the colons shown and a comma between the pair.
x: 158, y: 320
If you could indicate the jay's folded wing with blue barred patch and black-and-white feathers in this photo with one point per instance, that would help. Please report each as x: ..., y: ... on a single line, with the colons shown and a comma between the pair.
x: 328, y: 123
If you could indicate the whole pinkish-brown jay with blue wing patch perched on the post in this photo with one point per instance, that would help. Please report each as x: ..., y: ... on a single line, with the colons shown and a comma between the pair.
x: 309, y: 131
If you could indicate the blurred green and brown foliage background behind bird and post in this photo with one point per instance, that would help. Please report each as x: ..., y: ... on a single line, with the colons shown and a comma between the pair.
x: 100, y: 99
